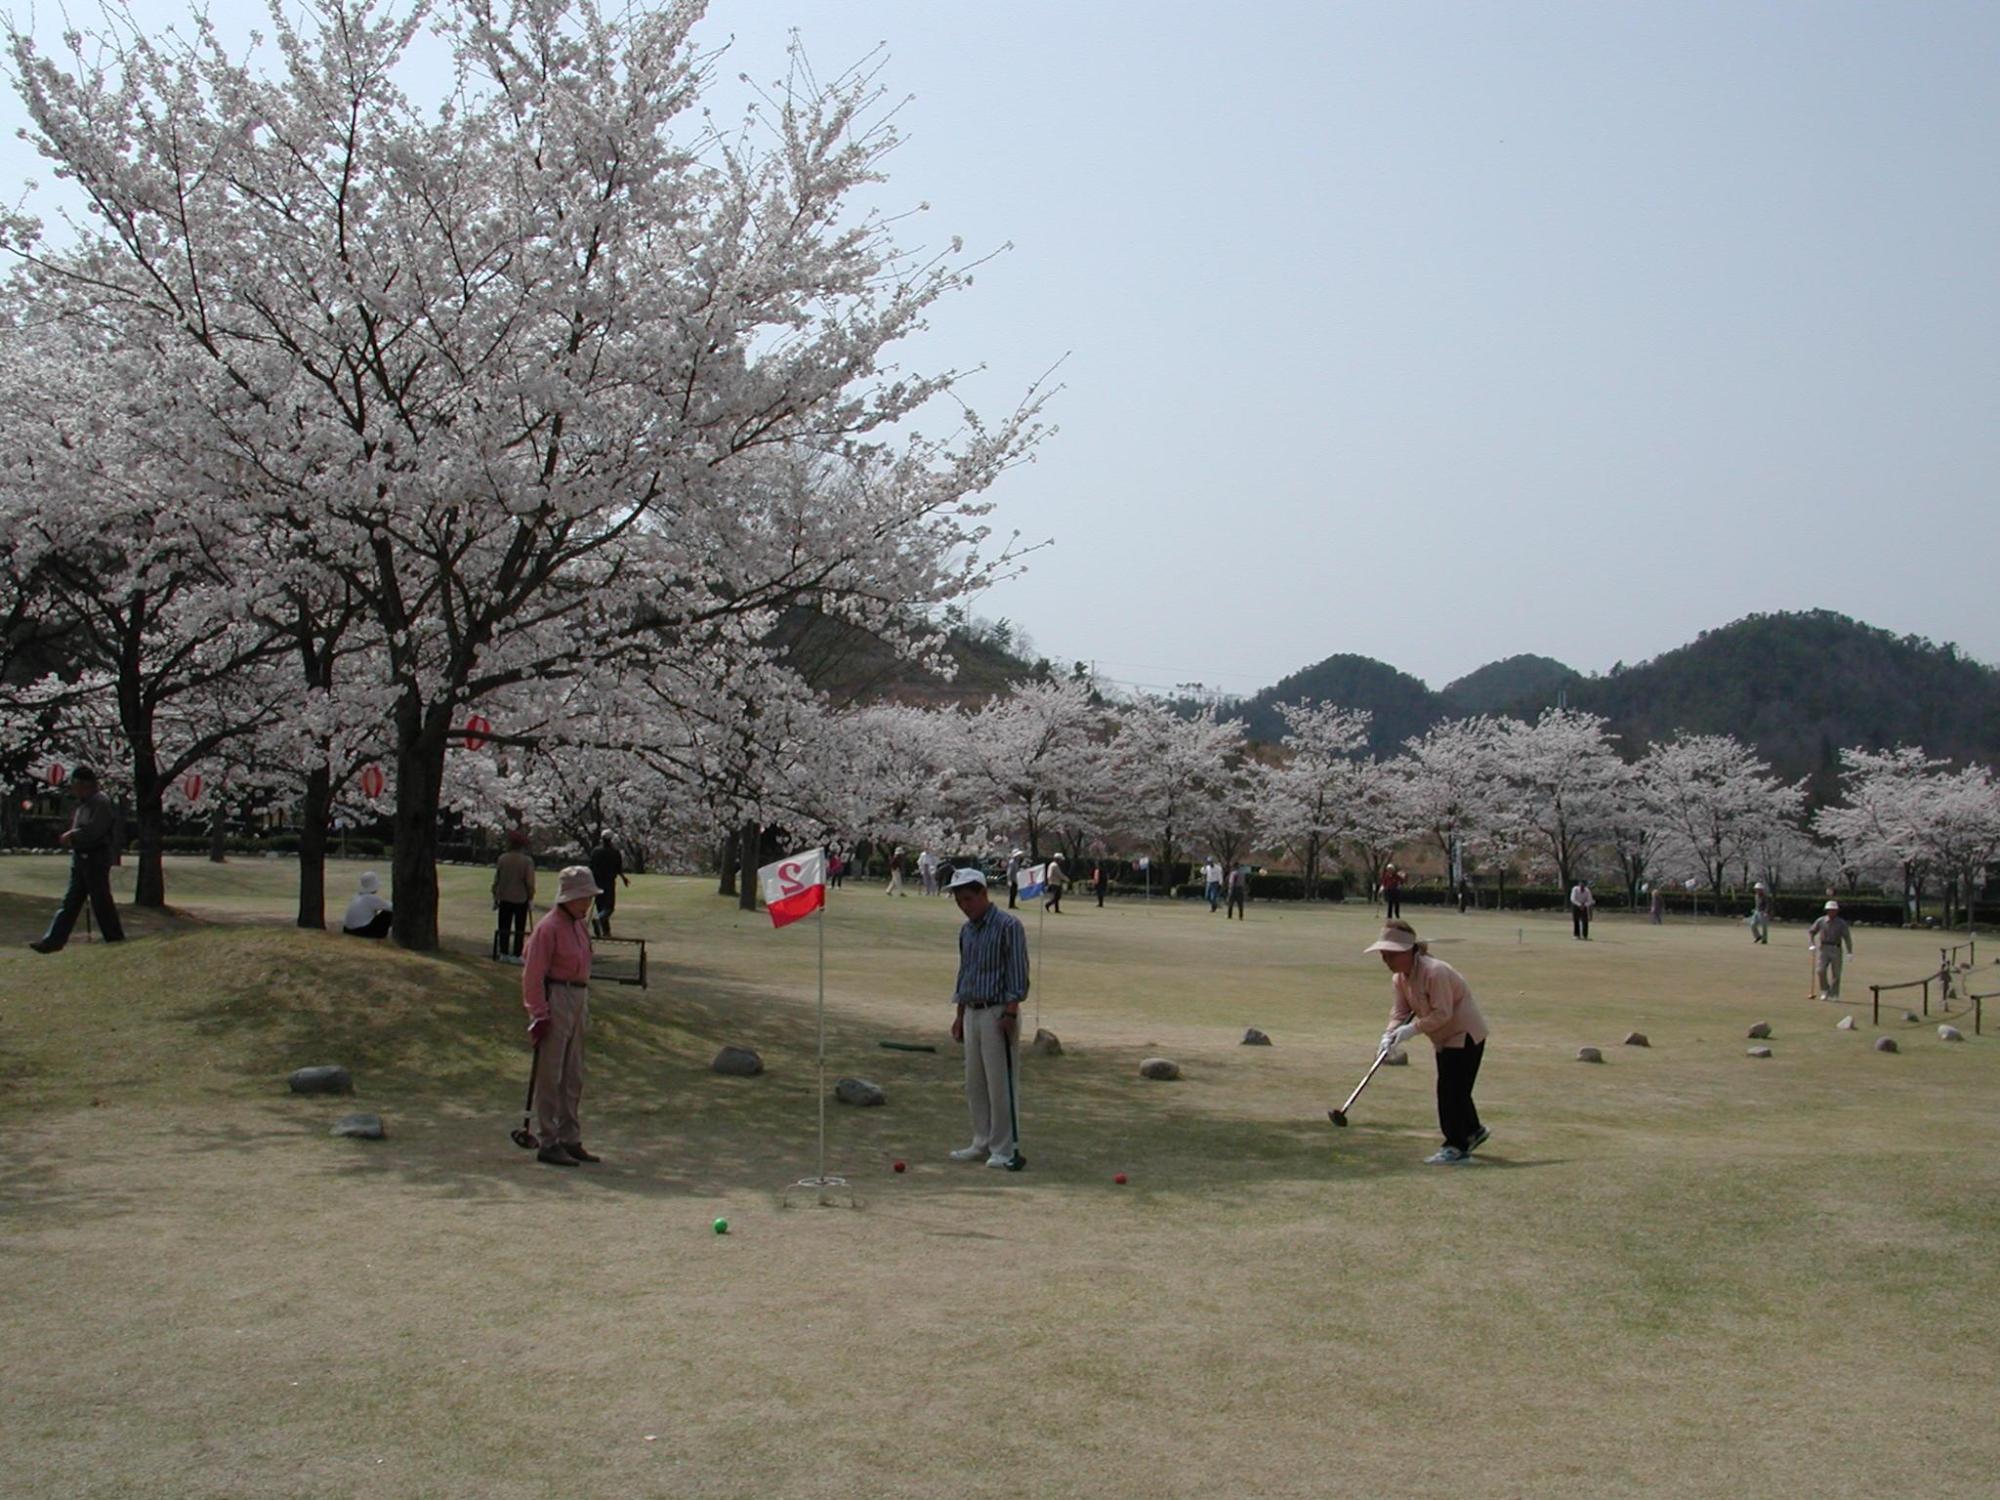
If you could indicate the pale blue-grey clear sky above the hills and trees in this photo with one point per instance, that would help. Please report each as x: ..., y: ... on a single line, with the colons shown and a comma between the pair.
x: 1443, y: 333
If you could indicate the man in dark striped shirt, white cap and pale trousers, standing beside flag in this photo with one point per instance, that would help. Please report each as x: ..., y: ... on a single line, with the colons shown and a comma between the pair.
x: 993, y: 981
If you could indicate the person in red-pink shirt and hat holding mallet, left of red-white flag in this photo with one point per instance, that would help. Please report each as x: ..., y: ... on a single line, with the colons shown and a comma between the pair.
x: 555, y: 987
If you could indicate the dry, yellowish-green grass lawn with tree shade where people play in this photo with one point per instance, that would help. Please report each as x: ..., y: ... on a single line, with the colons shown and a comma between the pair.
x: 1683, y: 1273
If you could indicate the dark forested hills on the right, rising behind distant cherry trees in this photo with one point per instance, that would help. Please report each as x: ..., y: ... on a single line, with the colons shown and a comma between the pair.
x: 1799, y: 687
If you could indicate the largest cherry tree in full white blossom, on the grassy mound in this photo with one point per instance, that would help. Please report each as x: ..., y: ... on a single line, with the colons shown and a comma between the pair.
x: 549, y: 377
